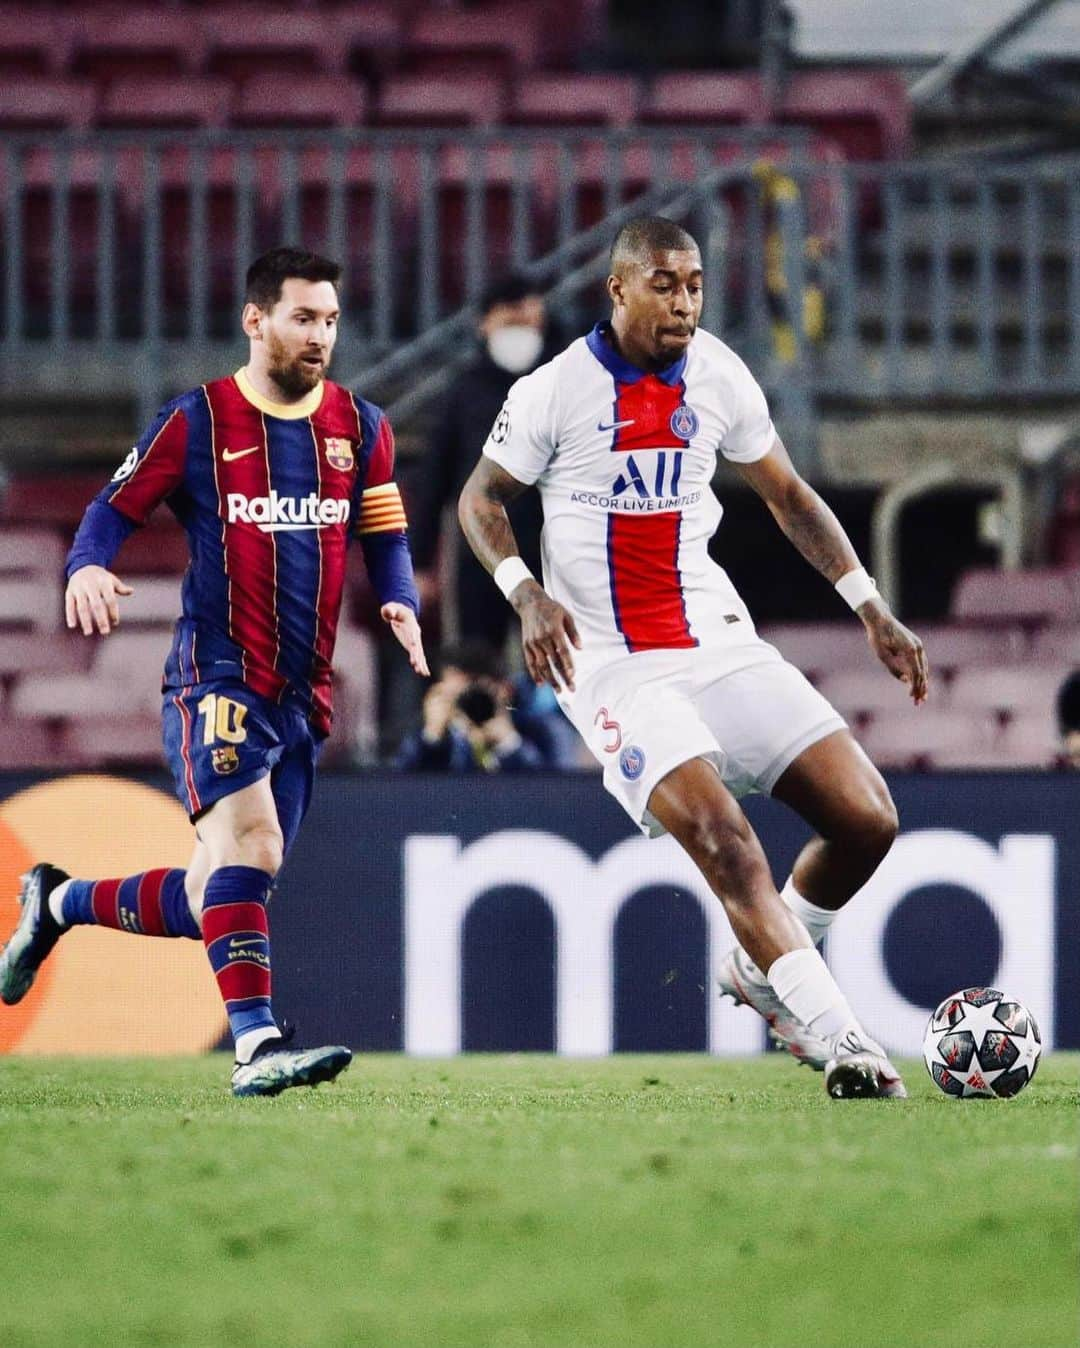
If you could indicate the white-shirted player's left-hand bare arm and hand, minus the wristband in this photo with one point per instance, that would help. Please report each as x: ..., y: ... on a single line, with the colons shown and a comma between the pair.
x: 548, y: 629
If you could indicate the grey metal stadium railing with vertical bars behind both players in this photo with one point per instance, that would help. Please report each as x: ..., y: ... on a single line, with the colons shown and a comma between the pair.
x: 125, y: 251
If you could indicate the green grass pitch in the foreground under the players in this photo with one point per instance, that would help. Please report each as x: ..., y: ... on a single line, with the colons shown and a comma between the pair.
x: 527, y: 1202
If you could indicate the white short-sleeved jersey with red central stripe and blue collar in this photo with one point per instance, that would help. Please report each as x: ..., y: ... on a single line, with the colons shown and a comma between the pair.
x: 625, y: 460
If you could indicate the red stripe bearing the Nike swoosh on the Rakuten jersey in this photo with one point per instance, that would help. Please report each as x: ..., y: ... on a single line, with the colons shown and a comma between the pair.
x: 250, y: 552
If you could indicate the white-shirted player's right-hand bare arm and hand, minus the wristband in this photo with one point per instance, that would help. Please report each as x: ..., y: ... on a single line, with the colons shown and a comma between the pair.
x: 820, y: 537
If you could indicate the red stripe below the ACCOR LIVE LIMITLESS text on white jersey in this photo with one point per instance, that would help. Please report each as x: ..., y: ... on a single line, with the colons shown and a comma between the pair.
x: 647, y: 586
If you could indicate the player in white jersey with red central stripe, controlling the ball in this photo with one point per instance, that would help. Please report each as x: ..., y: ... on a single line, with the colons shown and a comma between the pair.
x: 655, y: 656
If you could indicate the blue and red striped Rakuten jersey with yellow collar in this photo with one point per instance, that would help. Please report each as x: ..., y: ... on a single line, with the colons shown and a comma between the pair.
x: 269, y: 495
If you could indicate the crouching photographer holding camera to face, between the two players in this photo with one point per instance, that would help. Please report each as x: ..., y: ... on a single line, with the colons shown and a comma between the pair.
x: 477, y: 721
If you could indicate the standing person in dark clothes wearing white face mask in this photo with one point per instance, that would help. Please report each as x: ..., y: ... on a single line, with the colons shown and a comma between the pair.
x: 513, y: 331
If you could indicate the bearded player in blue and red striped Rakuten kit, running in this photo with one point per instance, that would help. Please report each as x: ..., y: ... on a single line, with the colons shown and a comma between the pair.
x: 270, y: 472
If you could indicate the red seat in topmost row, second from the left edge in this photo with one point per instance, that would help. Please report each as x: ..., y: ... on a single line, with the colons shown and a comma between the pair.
x: 114, y: 44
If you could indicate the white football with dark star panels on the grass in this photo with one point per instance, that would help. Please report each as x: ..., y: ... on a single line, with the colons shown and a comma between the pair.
x: 981, y: 1043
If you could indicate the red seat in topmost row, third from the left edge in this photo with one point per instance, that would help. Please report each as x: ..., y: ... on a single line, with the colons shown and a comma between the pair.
x: 242, y: 44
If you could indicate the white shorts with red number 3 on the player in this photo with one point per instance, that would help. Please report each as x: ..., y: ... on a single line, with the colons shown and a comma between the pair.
x: 645, y: 715
